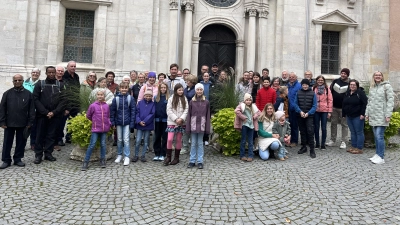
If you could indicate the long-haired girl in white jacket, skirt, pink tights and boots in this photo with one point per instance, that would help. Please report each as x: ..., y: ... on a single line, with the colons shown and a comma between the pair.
x: 177, y: 109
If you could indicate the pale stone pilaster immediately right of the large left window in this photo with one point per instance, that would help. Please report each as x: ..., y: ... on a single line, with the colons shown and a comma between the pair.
x: 99, y: 36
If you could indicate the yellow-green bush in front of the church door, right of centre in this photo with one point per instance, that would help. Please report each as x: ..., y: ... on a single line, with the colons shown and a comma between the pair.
x: 228, y: 137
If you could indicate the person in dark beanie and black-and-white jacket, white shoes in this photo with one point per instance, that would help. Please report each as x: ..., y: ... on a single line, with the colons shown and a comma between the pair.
x: 338, y: 89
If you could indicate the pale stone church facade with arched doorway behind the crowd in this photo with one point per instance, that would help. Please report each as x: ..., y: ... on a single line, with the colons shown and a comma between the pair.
x: 123, y: 35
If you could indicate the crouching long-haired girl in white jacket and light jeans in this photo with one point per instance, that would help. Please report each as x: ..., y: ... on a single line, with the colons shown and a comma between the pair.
x: 268, y: 142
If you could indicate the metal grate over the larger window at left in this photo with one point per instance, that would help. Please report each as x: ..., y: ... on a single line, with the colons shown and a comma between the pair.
x: 78, y: 36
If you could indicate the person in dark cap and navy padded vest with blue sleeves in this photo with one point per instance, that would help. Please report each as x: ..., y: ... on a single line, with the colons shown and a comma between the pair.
x: 305, y: 104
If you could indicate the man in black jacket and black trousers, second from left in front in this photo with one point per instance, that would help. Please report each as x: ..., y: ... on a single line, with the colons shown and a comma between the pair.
x: 49, y: 110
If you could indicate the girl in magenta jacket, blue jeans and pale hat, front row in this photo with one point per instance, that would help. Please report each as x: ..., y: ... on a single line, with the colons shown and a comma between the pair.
x: 99, y: 114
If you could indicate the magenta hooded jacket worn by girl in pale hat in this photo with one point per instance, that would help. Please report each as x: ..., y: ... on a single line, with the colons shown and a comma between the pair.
x: 99, y: 114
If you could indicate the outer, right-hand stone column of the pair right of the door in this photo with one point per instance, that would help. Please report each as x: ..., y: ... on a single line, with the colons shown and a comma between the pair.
x: 262, y: 48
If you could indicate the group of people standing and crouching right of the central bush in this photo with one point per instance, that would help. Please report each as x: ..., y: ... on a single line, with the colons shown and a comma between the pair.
x: 274, y: 110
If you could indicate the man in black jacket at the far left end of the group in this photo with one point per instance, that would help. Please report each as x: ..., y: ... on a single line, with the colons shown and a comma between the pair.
x: 17, y: 113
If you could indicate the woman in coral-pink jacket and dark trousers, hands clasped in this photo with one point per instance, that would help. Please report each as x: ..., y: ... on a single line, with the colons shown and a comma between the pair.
x: 323, y: 112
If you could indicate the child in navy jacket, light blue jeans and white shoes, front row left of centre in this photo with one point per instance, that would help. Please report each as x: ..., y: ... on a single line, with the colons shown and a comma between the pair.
x: 123, y: 118
